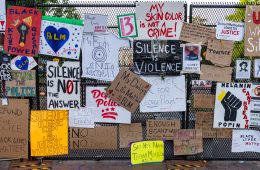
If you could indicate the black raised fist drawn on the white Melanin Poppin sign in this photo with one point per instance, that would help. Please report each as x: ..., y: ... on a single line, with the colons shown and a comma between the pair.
x: 231, y: 104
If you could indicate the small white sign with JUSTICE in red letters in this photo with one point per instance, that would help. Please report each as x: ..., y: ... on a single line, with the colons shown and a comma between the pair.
x: 228, y: 30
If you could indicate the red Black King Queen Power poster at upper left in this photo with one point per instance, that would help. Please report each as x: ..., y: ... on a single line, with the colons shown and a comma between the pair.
x: 23, y: 27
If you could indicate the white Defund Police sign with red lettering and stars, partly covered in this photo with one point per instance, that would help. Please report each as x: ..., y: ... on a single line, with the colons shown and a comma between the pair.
x: 107, y: 110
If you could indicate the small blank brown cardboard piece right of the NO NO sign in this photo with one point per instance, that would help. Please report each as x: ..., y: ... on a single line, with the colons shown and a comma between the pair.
x: 129, y: 133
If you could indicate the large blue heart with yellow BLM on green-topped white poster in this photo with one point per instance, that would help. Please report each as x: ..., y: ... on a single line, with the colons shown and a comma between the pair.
x: 56, y: 38
